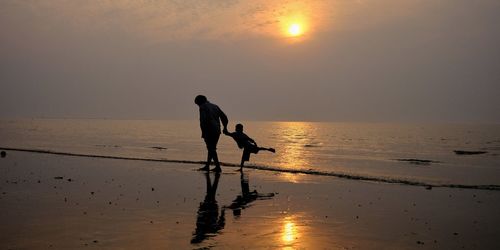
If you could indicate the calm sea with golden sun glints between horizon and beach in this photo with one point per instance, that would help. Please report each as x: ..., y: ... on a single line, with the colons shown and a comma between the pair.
x: 359, y: 149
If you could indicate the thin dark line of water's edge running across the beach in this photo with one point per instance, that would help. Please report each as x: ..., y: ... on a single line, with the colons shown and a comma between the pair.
x: 274, y: 169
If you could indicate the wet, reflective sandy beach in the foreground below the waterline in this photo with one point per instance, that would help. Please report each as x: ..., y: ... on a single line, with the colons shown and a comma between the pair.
x: 64, y: 202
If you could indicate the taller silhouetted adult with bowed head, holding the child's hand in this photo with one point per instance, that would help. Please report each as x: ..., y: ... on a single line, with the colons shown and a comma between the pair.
x: 211, y: 117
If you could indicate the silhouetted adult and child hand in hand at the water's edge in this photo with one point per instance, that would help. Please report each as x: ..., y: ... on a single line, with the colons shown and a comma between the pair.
x: 211, y: 117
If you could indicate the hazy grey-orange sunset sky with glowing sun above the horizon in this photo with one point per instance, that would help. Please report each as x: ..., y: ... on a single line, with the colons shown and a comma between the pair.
x: 332, y: 60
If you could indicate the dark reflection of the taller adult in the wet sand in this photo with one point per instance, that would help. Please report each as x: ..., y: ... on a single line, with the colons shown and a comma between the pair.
x: 209, y: 222
